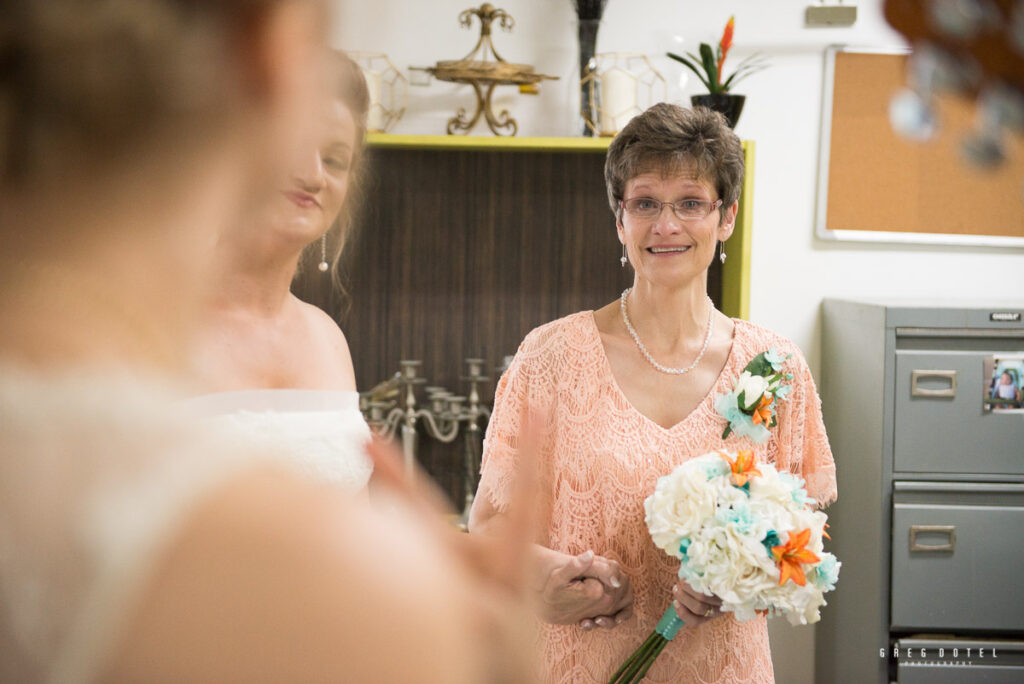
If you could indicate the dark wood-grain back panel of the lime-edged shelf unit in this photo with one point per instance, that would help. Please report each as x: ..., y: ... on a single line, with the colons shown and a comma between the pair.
x: 461, y: 253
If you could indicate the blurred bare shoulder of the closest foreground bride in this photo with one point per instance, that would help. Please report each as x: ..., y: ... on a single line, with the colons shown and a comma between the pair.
x: 274, y: 579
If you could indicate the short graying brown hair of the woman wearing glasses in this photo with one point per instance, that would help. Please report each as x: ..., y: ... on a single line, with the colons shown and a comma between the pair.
x: 669, y: 139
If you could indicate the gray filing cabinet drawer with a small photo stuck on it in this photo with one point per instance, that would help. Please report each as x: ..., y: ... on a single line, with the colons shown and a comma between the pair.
x: 942, y: 425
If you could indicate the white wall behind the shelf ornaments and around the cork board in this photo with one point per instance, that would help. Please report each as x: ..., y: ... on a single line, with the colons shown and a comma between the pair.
x: 792, y: 270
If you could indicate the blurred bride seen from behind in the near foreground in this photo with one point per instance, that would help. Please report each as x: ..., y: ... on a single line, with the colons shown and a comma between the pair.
x: 135, y: 547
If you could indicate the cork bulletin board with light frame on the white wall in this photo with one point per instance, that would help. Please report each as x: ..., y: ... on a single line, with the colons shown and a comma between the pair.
x: 876, y: 187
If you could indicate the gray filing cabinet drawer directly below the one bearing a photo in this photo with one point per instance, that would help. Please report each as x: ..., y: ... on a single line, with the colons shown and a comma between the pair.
x: 957, y: 557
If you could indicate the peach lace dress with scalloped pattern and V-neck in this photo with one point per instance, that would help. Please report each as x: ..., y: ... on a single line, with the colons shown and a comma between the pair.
x: 603, y: 459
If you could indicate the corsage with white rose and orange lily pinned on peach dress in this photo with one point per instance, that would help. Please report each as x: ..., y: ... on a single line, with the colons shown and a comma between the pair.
x: 750, y: 408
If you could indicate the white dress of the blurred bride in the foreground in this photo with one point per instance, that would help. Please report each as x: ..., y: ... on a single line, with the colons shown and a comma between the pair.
x: 99, y: 471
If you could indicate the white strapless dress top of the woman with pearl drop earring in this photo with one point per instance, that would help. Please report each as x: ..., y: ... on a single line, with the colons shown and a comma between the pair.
x: 320, y: 433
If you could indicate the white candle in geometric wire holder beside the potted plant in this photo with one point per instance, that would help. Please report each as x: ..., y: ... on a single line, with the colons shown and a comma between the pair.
x: 624, y: 85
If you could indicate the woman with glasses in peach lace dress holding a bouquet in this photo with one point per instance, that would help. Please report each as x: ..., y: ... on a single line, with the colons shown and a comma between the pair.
x: 628, y: 393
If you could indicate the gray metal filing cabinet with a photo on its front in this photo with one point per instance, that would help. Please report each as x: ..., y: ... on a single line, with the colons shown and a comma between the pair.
x: 930, y: 520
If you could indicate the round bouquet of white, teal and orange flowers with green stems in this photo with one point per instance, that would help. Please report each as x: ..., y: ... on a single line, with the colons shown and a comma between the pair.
x: 743, y: 532
